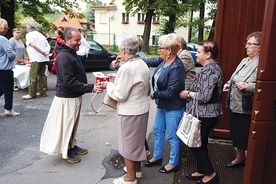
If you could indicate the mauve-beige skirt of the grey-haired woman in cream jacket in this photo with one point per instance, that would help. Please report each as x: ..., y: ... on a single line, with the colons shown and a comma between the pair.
x: 131, y: 136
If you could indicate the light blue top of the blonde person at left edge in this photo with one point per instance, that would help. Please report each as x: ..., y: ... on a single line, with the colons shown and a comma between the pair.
x: 7, y: 55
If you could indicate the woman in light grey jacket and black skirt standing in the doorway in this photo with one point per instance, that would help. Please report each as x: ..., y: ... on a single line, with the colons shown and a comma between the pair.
x: 242, y: 80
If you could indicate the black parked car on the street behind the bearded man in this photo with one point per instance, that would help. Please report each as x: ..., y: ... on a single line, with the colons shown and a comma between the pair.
x: 98, y: 57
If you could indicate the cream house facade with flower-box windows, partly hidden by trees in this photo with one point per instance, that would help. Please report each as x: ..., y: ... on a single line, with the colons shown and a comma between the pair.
x: 111, y: 20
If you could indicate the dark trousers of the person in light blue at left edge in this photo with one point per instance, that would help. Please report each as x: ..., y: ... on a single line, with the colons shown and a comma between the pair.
x: 6, y: 87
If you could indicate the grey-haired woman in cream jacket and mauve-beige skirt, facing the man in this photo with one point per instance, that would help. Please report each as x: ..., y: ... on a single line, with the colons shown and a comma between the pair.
x: 130, y: 89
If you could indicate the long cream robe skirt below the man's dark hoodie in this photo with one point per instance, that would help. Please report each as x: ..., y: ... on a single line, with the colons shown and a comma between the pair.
x: 61, y: 125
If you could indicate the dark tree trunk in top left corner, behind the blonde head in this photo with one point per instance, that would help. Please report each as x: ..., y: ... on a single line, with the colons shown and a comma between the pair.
x: 7, y: 13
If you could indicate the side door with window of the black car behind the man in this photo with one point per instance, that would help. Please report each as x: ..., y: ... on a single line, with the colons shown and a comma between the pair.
x: 97, y: 57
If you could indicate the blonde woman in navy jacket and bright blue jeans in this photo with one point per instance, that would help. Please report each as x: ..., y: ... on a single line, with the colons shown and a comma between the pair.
x: 167, y: 81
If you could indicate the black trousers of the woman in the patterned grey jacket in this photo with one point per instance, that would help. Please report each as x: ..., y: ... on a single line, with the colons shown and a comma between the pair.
x: 204, y: 165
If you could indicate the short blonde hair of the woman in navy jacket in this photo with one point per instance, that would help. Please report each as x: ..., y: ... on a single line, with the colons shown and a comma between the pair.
x: 171, y: 41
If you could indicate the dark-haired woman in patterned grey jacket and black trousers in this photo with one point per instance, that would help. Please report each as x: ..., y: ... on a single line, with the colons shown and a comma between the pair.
x: 206, y: 89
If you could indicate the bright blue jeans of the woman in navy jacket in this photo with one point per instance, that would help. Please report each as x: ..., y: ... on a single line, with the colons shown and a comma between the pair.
x: 167, y: 121
